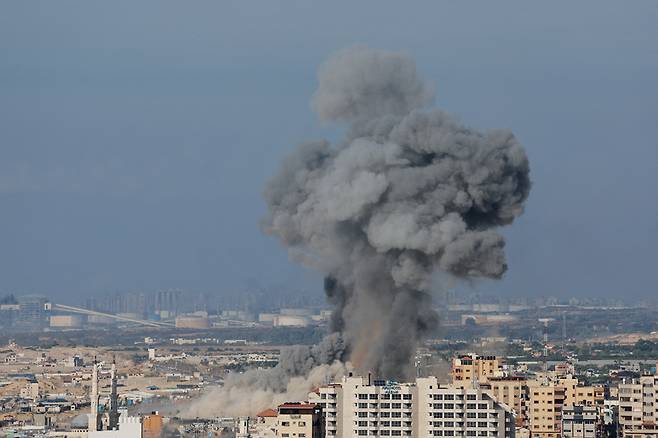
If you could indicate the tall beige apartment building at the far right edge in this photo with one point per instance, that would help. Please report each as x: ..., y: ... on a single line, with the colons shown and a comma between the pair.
x: 638, y: 407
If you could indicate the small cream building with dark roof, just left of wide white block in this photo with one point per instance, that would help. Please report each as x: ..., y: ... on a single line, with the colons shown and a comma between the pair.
x: 299, y: 420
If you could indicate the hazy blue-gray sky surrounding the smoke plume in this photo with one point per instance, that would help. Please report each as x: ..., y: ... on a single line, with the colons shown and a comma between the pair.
x: 136, y: 137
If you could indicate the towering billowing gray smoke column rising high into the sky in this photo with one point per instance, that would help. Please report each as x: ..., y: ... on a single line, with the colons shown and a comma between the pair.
x: 409, y: 191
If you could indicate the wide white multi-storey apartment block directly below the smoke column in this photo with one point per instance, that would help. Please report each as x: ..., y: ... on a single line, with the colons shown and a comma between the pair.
x: 359, y: 406
